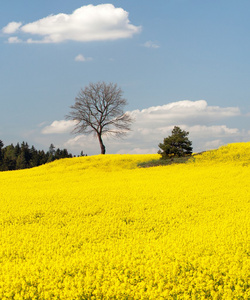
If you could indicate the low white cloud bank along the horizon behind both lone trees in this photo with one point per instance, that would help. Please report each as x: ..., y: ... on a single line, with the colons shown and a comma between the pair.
x: 156, y: 122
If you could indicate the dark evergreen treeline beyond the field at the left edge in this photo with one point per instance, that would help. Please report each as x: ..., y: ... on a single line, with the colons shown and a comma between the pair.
x: 23, y: 157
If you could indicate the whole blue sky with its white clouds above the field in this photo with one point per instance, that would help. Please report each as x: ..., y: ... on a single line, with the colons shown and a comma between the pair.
x: 179, y: 62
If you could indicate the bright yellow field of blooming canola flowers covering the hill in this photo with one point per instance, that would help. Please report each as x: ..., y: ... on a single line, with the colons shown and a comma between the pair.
x: 101, y: 228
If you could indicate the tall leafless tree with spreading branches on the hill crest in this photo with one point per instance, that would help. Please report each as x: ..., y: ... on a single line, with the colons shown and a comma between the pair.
x: 98, y: 109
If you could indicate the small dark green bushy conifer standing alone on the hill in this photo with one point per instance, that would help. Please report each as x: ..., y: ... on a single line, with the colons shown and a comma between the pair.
x: 176, y: 144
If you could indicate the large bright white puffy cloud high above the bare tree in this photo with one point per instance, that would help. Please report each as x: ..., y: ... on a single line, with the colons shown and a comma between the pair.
x: 87, y: 23
